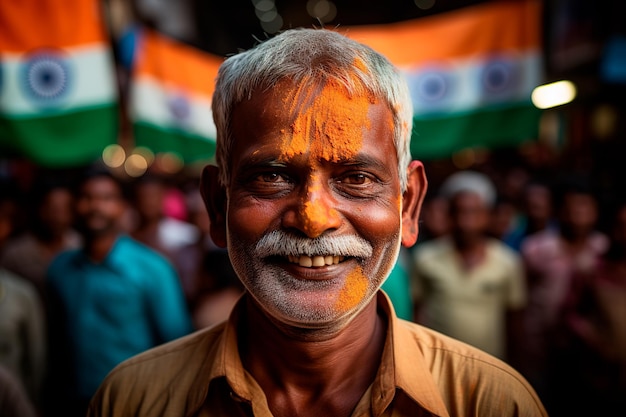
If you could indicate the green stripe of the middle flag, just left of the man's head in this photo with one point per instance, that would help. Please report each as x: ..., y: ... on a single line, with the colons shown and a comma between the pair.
x: 188, y: 146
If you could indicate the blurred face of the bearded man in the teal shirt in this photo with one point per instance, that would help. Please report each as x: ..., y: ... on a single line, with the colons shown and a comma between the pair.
x: 100, y: 206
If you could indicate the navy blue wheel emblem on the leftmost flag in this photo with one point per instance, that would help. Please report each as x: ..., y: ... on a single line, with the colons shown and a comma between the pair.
x: 46, y: 78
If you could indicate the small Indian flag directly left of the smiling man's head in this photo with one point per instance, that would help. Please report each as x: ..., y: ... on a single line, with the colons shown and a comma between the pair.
x: 170, y: 103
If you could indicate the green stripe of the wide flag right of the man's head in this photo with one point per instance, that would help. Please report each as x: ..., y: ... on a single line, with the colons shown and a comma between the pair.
x: 440, y: 137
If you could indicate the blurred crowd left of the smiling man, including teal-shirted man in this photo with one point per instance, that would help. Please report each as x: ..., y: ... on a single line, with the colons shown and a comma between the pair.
x: 67, y: 244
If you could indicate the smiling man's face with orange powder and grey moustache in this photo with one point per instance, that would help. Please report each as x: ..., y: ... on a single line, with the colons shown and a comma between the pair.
x: 314, y: 203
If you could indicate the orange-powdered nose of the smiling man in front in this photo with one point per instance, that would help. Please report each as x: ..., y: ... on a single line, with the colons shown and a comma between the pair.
x: 314, y: 212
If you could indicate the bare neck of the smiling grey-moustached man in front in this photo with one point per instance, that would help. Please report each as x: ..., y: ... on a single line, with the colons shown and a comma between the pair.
x: 305, y: 369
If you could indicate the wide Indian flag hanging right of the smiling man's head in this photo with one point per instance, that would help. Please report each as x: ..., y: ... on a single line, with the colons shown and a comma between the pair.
x: 471, y: 73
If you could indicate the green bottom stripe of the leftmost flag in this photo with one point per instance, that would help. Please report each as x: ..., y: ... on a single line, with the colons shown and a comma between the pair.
x: 69, y: 139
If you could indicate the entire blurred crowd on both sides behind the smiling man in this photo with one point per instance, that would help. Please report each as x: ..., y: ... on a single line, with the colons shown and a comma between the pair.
x: 526, y: 264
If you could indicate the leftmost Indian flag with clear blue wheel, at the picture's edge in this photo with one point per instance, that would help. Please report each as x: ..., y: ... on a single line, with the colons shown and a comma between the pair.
x: 58, y: 92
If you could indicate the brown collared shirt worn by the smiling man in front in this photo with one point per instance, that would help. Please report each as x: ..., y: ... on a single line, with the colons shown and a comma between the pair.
x: 422, y: 373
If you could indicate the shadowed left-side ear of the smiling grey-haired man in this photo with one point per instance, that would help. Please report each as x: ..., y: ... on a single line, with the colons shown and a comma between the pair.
x: 215, y: 201
